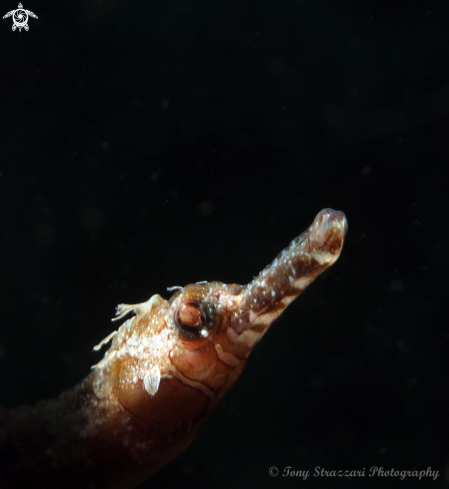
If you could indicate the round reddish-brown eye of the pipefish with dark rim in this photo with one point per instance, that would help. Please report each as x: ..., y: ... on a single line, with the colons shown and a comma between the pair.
x: 194, y: 319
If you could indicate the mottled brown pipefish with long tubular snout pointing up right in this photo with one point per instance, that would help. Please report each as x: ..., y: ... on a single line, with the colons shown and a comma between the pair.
x: 165, y: 372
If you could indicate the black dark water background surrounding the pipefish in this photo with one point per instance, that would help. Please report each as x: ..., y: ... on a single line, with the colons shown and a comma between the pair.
x: 157, y: 143
